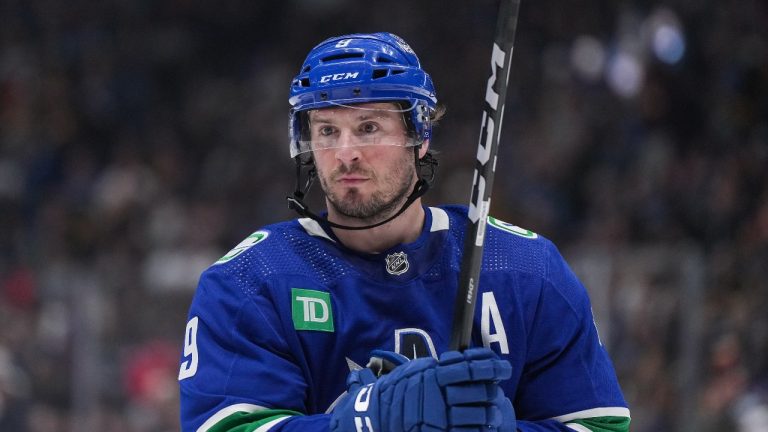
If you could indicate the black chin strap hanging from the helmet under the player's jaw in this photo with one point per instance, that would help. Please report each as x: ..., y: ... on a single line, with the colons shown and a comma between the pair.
x: 296, y: 201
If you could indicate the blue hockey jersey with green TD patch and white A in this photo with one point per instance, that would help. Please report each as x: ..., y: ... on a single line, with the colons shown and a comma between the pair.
x: 278, y: 322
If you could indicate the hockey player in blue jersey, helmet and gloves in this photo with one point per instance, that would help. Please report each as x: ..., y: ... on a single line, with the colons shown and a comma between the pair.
x: 280, y: 326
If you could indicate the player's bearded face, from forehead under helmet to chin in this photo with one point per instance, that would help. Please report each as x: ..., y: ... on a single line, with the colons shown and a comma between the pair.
x: 363, y: 162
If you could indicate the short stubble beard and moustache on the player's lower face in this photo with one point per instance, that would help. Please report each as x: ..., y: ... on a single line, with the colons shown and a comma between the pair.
x: 382, y: 203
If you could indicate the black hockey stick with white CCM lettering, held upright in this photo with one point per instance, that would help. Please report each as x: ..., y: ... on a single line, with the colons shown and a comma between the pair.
x: 485, y: 166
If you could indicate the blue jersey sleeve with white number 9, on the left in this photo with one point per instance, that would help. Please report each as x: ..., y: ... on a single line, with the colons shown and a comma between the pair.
x: 236, y: 369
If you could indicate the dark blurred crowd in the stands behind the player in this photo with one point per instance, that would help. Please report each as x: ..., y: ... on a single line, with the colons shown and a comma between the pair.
x: 140, y: 140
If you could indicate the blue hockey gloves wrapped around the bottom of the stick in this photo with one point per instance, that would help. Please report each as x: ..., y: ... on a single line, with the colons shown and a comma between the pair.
x: 458, y: 393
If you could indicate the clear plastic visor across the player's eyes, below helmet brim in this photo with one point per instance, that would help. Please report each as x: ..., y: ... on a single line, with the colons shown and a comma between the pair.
x: 358, y: 125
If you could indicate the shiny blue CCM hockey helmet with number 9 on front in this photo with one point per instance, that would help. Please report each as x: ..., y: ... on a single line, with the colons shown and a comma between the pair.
x: 361, y: 68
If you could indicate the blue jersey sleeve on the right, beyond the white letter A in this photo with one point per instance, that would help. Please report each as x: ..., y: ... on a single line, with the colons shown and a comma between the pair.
x: 568, y: 380
